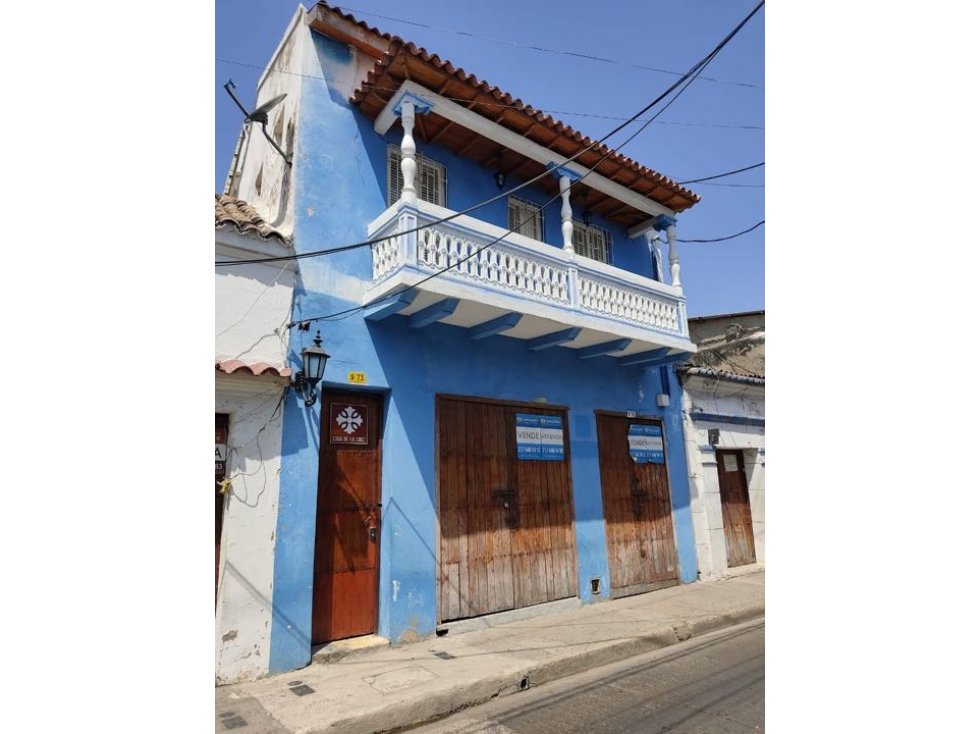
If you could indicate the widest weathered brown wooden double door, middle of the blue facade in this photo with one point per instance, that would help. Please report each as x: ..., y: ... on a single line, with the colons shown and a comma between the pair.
x: 506, y: 535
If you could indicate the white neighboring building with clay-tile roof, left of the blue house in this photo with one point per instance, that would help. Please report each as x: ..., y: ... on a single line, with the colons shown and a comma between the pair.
x: 253, y: 305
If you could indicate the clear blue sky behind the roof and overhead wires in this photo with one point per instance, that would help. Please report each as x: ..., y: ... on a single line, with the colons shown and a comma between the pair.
x: 713, y: 127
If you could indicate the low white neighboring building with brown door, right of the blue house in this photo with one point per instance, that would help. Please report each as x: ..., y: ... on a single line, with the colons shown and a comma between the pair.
x: 724, y: 427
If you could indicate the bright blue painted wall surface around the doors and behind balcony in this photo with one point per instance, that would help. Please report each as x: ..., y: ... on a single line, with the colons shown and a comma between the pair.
x: 340, y: 186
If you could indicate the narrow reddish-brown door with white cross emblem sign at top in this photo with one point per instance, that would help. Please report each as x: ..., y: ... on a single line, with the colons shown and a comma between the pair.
x: 348, y: 514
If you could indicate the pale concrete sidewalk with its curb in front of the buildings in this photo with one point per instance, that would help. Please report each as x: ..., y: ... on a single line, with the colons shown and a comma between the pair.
x: 382, y: 688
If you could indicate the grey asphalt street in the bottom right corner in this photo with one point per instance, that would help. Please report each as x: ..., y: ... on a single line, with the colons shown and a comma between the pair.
x: 713, y: 684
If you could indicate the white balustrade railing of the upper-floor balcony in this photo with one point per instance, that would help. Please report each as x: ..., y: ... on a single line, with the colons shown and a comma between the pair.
x: 493, y: 261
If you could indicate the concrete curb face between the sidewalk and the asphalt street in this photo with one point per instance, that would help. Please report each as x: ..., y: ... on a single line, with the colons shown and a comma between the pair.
x: 408, y: 714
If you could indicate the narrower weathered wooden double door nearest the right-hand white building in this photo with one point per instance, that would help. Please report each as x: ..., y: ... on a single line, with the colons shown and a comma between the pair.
x: 638, y: 512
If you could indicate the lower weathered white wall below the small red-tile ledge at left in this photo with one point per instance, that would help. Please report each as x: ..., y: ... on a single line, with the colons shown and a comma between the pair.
x: 244, y: 609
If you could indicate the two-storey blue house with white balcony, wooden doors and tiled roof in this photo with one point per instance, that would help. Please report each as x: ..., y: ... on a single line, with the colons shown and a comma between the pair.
x: 499, y: 424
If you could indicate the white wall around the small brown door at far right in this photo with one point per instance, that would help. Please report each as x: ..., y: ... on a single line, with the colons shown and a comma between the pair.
x: 719, y: 397
